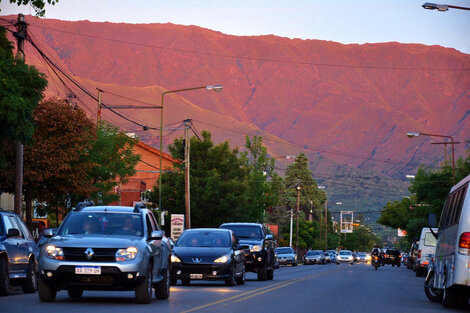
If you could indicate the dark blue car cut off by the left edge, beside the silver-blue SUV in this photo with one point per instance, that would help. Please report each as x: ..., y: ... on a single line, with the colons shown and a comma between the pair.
x: 18, y: 255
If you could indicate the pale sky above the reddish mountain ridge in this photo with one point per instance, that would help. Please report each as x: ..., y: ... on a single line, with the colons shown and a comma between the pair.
x: 345, y: 21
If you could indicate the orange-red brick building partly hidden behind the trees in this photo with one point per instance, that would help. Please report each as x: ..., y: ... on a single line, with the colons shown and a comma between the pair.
x: 147, y: 173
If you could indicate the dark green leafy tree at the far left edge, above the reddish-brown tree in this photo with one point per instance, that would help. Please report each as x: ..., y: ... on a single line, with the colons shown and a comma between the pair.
x: 21, y: 88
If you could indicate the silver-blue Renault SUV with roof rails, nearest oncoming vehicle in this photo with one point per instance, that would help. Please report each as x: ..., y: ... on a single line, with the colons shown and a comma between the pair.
x: 106, y: 248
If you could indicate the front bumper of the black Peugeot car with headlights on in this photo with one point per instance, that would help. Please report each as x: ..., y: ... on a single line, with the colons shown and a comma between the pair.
x: 201, y: 271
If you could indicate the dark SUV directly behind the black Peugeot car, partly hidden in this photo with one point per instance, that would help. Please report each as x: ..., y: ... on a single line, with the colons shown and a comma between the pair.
x: 258, y: 245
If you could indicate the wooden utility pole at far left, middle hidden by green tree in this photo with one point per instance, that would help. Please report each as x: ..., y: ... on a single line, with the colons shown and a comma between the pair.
x: 20, y: 36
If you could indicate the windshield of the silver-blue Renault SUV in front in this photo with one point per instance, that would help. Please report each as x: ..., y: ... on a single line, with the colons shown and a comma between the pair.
x: 97, y: 223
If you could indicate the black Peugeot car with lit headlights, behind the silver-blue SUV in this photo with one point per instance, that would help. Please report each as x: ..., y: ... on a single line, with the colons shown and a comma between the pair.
x: 208, y: 254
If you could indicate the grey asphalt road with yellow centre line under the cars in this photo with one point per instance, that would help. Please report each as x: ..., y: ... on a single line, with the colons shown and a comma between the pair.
x: 310, y: 288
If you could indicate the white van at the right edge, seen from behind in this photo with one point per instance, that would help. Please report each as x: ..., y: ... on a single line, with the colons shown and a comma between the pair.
x: 449, y: 276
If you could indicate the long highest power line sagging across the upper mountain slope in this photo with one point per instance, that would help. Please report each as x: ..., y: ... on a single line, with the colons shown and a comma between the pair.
x: 251, y: 58
